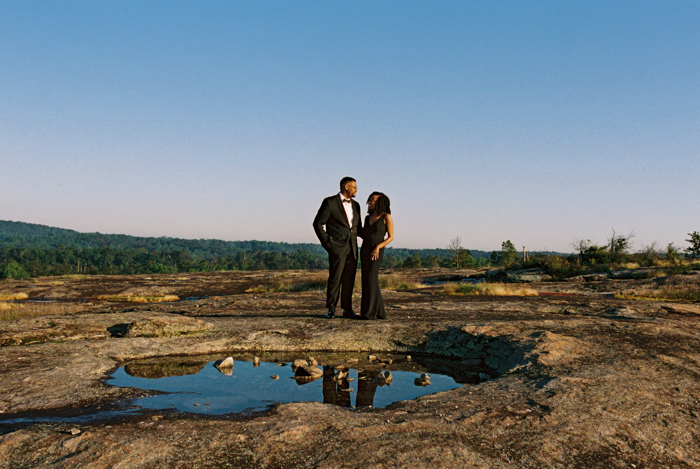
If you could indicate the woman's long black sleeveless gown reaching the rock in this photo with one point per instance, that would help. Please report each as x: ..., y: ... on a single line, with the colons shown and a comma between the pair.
x: 372, y: 303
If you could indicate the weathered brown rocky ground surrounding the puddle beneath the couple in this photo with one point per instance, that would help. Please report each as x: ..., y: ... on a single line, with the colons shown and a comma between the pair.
x: 582, y: 381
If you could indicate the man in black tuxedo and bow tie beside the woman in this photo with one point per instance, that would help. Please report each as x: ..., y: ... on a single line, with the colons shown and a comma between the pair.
x: 336, y: 225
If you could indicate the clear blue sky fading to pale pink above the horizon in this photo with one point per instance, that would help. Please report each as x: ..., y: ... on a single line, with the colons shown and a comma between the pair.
x: 541, y: 122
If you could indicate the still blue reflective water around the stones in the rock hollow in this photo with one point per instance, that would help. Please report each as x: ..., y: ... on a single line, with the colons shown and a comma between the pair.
x: 205, y: 389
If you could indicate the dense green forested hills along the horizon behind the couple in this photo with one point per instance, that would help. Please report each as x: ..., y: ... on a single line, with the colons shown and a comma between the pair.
x: 29, y: 250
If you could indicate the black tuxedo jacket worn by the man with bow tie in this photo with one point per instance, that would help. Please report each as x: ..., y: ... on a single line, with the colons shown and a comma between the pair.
x: 341, y: 236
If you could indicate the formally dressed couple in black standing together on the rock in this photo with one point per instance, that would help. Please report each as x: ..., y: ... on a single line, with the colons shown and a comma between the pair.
x: 337, y: 225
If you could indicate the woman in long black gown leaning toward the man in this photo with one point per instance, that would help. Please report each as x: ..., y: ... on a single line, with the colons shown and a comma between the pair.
x: 378, y: 224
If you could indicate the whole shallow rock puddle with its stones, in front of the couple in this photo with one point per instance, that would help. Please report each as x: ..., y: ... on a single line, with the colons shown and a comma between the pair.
x: 196, y: 385
